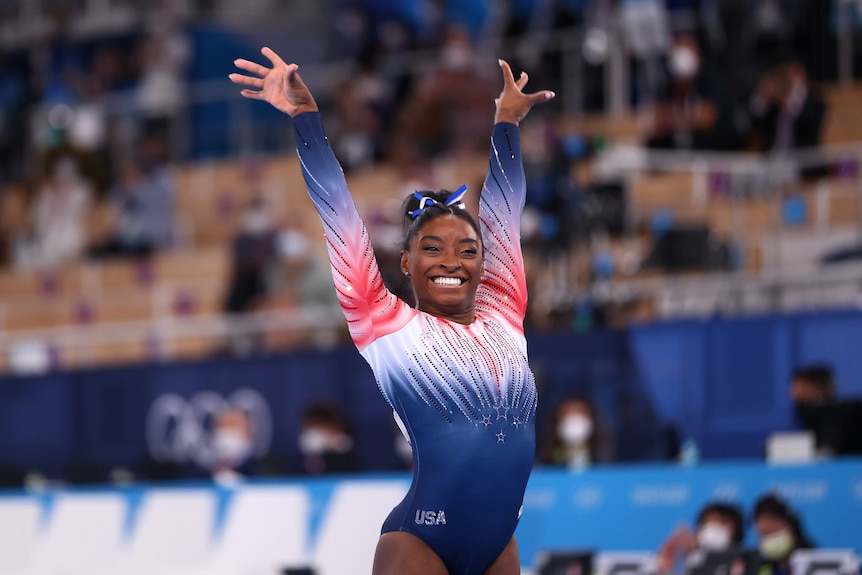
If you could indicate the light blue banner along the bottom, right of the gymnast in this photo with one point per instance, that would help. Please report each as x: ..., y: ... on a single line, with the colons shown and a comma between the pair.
x: 635, y: 508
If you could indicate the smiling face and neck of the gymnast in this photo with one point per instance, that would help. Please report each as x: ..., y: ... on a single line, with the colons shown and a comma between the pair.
x: 444, y: 263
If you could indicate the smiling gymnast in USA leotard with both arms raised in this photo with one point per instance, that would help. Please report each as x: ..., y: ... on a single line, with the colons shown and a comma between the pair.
x: 454, y: 369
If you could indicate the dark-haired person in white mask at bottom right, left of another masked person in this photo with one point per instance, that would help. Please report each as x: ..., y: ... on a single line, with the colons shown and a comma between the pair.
x: 720, y: 526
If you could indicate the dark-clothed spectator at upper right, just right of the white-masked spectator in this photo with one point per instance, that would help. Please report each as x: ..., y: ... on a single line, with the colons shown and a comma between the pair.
x: 786, y: 112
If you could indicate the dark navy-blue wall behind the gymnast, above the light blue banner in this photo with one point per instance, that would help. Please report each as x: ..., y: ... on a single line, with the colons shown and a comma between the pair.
x: 722, y: 382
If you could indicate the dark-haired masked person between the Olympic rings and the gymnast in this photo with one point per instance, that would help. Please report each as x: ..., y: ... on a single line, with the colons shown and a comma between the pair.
x: 326, y: 440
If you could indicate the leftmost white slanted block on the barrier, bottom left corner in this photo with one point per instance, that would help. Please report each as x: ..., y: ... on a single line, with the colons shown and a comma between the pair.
x: 19, y: 525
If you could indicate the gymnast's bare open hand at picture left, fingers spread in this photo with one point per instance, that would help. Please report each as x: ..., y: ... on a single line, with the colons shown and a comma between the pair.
x: 280, y: 85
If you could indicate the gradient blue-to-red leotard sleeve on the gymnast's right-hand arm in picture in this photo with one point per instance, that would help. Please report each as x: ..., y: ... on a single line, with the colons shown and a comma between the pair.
x: 504, y: 286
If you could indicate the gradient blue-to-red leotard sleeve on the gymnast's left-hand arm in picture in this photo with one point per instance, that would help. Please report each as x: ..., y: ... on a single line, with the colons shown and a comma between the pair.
x: 371, y: 309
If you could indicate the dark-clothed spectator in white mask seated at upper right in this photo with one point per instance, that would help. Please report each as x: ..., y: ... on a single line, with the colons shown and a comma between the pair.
x: 695, y: 113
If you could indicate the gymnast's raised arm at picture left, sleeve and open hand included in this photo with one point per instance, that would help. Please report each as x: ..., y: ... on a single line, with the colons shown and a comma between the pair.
x: 368, y: 306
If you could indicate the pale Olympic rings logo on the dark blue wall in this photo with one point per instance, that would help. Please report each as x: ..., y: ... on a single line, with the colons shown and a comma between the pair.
x: 180, y: 430
